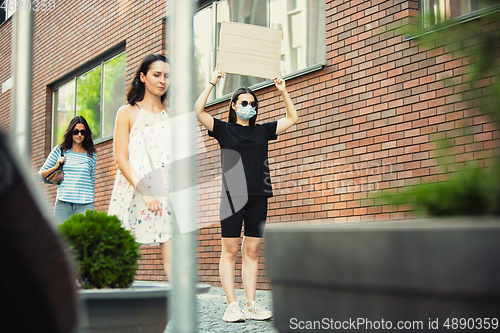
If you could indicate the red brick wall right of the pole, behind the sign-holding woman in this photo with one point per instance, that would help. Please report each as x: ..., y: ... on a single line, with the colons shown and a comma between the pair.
x: 368, y: 121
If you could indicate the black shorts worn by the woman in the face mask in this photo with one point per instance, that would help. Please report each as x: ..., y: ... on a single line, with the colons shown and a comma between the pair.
x: 254, y: 213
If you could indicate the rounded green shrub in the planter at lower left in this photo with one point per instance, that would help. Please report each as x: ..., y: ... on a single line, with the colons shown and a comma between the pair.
x: 106, y: 254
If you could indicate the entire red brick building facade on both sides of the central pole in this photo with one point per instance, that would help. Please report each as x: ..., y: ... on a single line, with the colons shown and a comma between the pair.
x: 368, y: 117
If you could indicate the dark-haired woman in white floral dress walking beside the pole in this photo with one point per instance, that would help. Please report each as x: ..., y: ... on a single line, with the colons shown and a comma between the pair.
x: 140, y: 193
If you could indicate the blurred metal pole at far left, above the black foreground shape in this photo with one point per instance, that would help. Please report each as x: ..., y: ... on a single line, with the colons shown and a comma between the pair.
x: 21, y: 95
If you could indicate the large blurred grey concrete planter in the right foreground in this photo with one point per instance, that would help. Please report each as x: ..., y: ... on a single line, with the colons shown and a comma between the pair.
x: 371, y: 276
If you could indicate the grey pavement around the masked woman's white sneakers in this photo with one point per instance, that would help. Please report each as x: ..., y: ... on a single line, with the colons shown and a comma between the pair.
x: 211, y: 308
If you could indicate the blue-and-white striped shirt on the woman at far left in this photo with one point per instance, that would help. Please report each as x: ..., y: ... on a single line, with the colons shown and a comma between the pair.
x: 78, y: 185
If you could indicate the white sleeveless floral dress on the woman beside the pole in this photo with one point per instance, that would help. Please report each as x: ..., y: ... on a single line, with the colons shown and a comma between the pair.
x: 149, y: 158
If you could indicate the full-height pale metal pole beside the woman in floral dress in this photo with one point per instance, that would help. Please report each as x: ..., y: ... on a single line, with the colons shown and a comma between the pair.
x: 180, y: 41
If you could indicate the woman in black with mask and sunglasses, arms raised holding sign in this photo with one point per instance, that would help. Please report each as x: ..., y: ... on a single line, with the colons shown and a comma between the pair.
x: 243, y: 142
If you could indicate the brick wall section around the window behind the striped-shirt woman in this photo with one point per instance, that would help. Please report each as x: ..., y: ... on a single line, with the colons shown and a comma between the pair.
x: 70, y: 36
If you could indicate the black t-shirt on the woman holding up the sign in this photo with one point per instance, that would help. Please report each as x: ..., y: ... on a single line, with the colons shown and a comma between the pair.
x: 251, y: 143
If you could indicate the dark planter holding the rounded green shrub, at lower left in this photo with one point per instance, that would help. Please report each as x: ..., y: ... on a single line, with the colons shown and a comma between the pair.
x: 141, y: 308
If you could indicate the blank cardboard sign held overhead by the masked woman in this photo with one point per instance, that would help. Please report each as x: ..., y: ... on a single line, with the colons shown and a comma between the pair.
x: 251, y: 50
